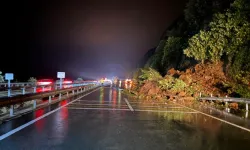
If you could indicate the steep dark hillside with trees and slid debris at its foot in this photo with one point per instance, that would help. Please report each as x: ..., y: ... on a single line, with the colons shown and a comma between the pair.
x: 207, y: 51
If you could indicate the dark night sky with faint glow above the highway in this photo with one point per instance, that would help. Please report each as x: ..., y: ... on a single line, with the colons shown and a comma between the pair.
x: 86, y: 38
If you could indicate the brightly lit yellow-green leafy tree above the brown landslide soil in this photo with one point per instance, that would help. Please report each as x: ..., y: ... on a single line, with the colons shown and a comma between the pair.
x: 229, y: 32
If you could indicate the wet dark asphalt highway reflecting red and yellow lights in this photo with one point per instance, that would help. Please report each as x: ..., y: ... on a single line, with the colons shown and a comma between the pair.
x: 102, y: 120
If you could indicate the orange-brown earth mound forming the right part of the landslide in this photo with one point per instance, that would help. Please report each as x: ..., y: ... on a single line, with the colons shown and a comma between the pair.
x: 204, y: 78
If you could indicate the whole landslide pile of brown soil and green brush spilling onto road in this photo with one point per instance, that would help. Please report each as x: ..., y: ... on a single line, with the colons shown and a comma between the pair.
x: 205, y: 78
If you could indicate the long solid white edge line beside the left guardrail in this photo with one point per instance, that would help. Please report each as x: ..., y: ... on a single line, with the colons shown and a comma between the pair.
x: 39, y: 118
